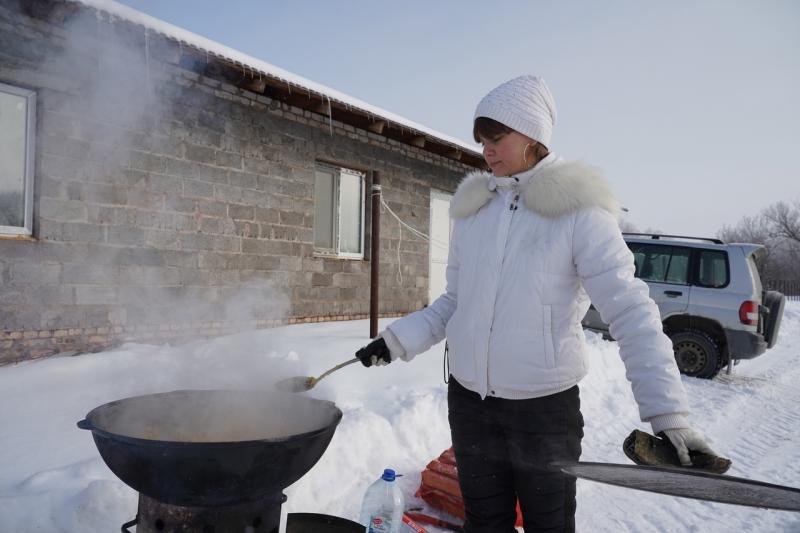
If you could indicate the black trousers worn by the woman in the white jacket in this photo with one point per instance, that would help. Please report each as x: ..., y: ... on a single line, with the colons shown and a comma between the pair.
x: 503, y: 449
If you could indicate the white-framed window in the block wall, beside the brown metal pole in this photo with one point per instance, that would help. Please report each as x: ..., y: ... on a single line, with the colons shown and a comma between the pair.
x: 339, y: 211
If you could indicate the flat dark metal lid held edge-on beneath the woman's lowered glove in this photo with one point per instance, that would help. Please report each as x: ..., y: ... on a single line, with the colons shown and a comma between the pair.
x: 689, y: 484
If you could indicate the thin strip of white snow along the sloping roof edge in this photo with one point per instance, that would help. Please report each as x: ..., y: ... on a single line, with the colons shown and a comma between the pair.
x: 220, y: 50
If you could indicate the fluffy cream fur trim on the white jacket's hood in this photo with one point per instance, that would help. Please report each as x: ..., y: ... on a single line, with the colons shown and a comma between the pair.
x: 559, y: 189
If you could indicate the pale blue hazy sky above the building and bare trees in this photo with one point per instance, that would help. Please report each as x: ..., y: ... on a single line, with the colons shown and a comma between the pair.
x: 690, y: 108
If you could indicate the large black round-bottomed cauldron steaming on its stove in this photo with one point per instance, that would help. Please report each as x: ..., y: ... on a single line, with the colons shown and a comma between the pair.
x: 212, y: 447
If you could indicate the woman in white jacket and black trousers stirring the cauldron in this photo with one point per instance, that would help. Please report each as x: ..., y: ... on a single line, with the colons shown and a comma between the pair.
x: 532, y: 242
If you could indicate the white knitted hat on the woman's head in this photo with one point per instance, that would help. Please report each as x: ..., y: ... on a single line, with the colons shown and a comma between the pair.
x: 524, y: 104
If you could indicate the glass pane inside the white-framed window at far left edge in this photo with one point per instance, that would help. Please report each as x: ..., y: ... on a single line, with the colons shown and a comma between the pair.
x: 13, y: 156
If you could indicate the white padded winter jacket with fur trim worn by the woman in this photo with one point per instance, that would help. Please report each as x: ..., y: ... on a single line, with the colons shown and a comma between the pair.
x: 524, y: 253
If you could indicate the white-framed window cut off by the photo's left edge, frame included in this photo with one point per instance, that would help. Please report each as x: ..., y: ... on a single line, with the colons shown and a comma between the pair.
x: 17, y: 119
